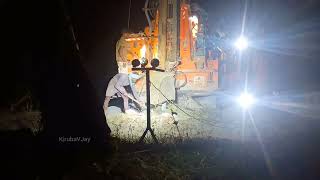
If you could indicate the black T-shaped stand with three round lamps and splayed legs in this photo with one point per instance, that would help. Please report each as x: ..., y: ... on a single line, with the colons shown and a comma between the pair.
x: 154, y: 64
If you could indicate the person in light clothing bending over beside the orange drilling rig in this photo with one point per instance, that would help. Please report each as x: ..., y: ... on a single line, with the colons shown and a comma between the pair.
x: 117, y: 86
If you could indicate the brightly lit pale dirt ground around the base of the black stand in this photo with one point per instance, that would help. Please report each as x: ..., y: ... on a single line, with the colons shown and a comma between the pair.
x: 189, y: 118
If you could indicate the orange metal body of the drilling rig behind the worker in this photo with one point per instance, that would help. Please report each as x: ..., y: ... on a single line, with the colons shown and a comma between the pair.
x: 201, y: 72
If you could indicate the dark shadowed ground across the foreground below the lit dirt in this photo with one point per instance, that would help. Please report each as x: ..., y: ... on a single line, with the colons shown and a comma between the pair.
x: 295, y: 158
